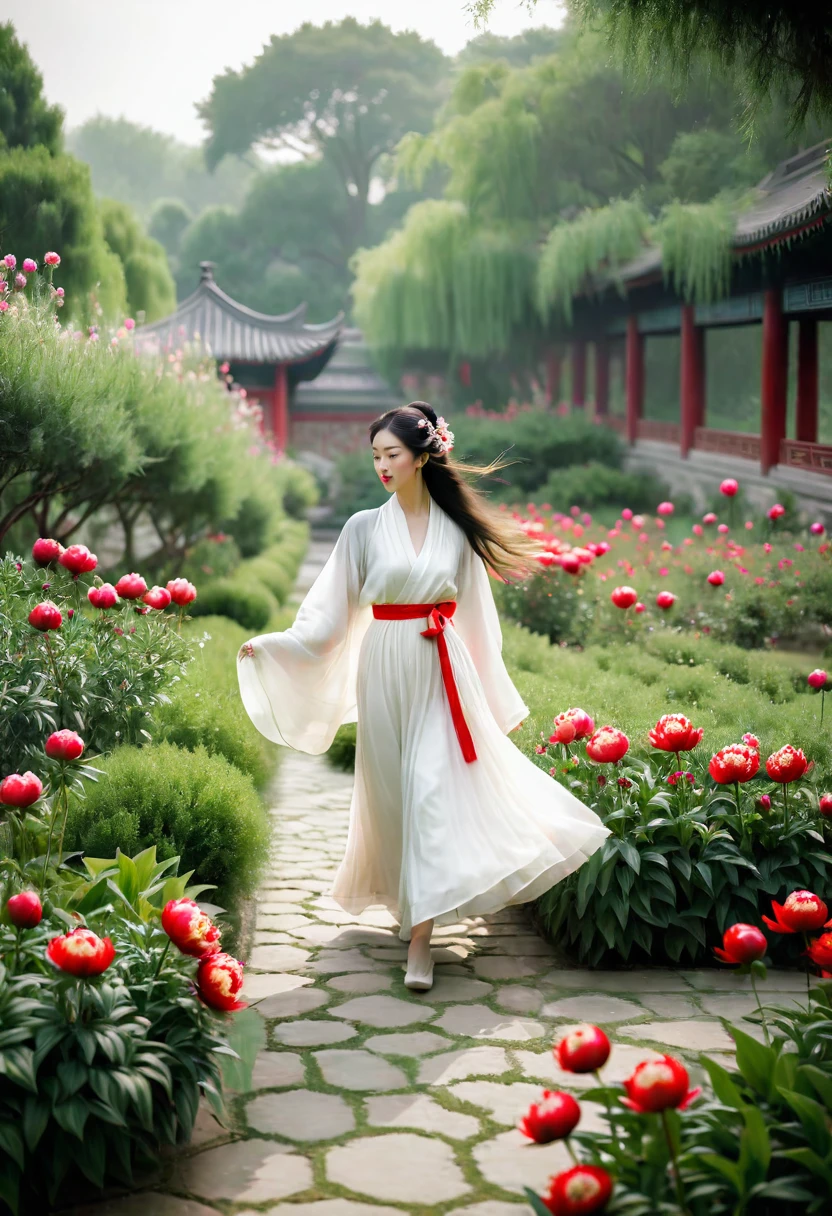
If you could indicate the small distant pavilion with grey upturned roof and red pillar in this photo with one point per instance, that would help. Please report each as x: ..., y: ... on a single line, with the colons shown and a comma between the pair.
x: 267, y: 356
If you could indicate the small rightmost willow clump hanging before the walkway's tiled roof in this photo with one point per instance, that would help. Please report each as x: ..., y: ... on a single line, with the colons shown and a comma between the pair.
x: 696, y: 241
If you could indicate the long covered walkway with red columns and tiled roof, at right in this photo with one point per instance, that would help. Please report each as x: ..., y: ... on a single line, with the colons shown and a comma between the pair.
x: 782, y: 283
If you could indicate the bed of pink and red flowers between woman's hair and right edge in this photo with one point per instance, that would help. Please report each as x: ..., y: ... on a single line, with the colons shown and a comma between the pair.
x: 749, y: 587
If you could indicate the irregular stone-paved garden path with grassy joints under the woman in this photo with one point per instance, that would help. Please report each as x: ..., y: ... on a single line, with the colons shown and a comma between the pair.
x: 374, y: 1100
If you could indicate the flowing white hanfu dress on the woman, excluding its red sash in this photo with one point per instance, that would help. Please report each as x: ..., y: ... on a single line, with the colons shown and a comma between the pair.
x: 431, y: 835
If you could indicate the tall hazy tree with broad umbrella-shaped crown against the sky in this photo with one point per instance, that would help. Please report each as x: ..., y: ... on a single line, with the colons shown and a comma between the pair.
x: 346, y: 92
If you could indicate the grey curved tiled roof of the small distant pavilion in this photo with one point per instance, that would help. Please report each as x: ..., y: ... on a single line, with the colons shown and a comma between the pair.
x: 232, y: 331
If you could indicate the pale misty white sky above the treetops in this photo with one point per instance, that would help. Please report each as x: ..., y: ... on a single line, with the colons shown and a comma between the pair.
x: 151, y: 60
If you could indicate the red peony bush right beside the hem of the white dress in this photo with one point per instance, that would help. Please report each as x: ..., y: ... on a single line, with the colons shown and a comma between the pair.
x: 692, y: 849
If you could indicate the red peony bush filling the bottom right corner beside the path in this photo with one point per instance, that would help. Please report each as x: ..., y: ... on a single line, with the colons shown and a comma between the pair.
x: 757, y: 1141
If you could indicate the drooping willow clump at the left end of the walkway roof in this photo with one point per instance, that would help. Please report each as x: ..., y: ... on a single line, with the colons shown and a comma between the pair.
x: 600, y: 240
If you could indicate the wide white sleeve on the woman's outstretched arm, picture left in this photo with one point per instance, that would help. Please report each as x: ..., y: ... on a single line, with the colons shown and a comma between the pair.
x: 299, y: 686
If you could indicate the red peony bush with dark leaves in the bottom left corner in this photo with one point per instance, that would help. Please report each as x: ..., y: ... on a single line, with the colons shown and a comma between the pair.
x: 110, y: 1037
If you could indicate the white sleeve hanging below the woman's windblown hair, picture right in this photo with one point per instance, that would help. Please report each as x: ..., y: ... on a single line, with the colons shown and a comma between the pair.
x: 479, y: 626
